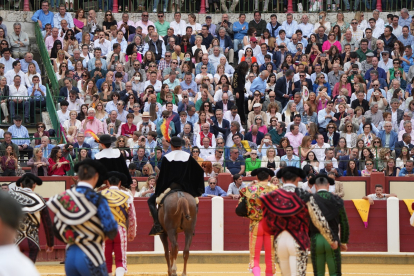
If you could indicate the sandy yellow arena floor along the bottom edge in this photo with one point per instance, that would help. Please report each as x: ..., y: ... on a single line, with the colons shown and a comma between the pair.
x: 241, y: 269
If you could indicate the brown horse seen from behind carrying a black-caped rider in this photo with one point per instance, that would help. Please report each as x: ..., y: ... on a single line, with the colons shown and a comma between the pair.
x: 177, y: 214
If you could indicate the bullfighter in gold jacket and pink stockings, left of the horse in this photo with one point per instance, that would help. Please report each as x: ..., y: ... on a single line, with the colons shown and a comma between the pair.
x: 122, y: 207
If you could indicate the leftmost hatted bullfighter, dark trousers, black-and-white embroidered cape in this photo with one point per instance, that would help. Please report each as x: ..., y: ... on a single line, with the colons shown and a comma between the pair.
x: 35, y: 211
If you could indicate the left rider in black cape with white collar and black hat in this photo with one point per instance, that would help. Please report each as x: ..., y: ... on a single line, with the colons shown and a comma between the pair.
x: 111, y: 158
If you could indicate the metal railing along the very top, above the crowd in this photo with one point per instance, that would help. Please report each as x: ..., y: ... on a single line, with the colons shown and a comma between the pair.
x: 218, y: 6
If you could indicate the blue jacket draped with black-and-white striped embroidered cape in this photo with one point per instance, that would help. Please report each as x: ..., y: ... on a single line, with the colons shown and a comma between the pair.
x: 83, y: 218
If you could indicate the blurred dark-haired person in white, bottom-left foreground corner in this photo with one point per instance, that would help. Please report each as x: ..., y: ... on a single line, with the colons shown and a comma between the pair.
x: 12, y: 261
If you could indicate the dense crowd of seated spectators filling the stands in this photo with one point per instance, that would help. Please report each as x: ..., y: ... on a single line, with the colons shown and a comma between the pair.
x: 326, y: 97
